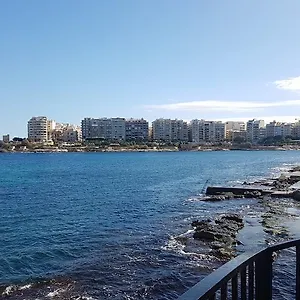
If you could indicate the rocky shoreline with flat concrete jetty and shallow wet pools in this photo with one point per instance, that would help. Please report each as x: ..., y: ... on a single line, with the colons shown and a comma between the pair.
x: 219, y: 237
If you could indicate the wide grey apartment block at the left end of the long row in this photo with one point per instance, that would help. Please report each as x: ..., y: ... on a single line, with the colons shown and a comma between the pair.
x: 103, y: 128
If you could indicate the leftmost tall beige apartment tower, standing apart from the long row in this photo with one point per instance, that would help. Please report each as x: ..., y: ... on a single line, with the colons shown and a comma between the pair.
x: 38, y: 129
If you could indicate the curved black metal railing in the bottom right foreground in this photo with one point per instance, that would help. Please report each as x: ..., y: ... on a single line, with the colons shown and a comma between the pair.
x: 246, y: 277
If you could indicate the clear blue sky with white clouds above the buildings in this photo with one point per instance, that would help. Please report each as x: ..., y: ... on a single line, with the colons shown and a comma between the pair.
x: 214, y: 60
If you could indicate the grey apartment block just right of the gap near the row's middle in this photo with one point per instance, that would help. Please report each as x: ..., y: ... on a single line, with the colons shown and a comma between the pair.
x: 170, y: 130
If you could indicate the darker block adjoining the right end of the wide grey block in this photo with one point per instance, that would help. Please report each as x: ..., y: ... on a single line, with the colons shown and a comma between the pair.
x: 136, y: 130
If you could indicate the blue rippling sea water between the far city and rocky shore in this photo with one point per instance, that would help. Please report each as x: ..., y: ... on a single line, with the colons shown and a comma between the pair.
x: 102, y: 225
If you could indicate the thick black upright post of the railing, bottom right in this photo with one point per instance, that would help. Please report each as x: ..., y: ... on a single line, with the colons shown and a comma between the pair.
x: 263, y: 275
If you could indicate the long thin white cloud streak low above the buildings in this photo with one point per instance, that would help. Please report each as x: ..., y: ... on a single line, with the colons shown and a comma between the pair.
x: 228, y: 106
